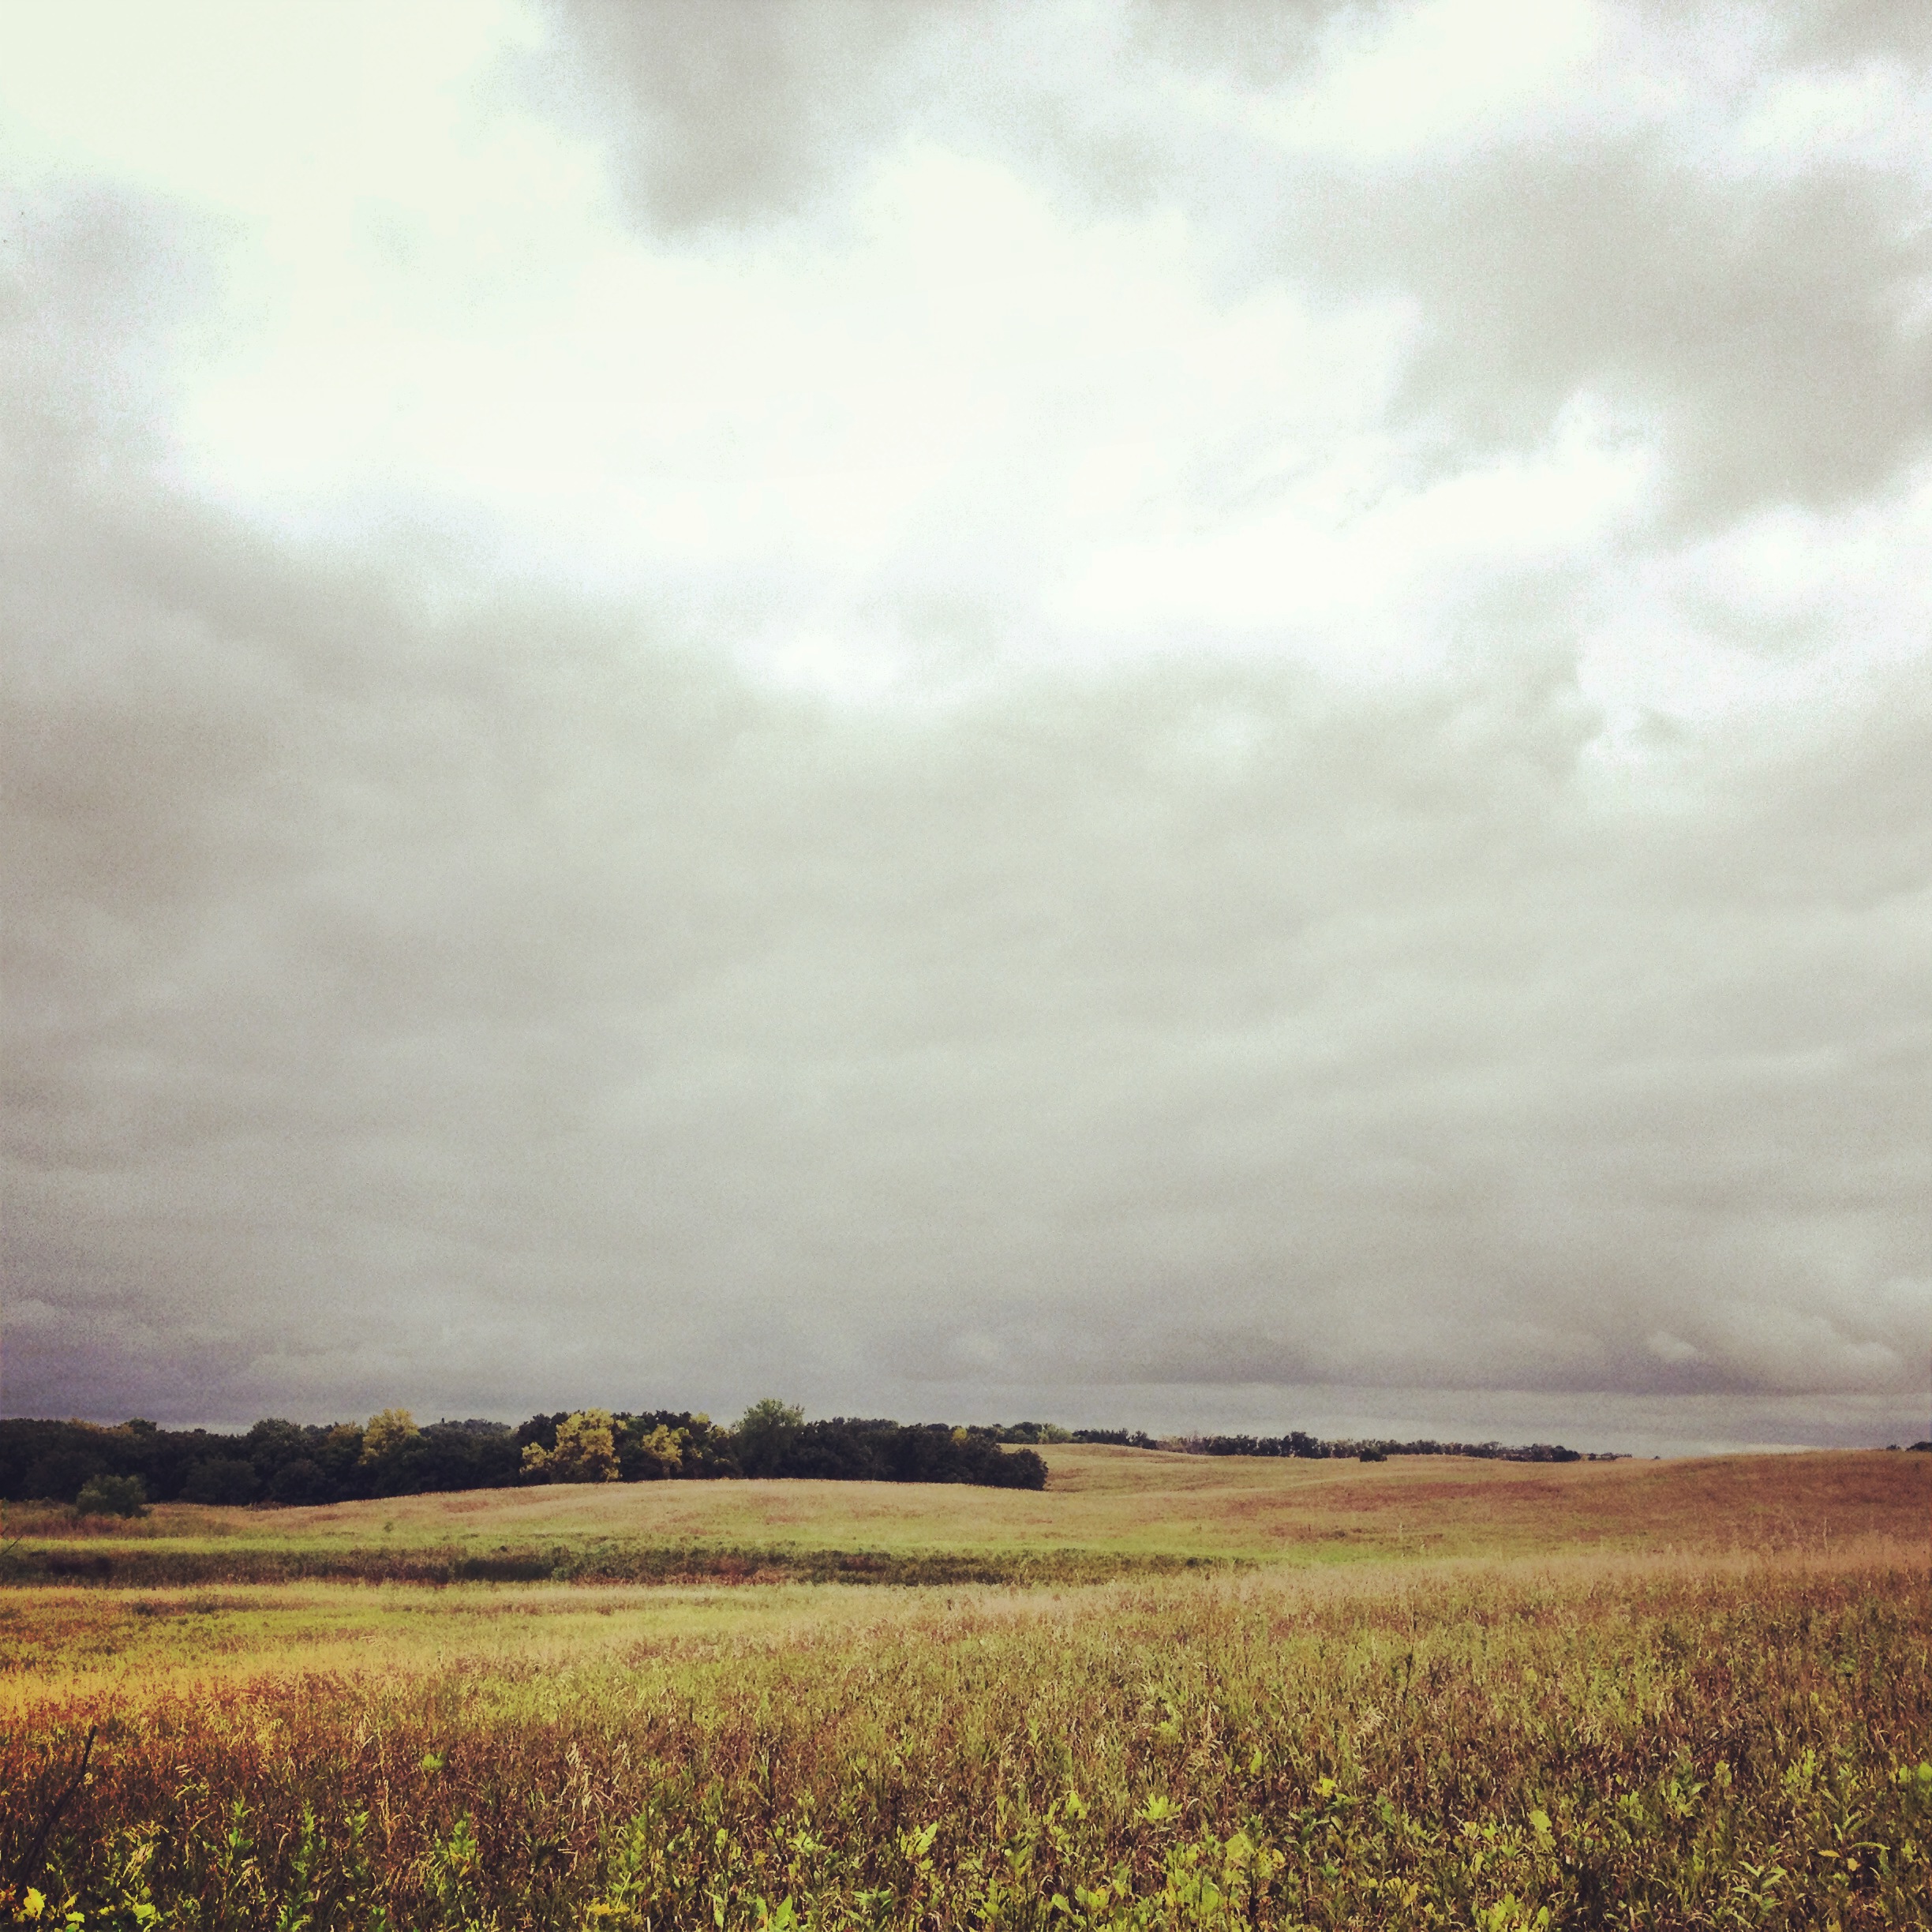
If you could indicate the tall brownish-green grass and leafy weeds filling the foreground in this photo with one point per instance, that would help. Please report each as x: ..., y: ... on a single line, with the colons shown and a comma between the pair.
x: 1603, y: 1747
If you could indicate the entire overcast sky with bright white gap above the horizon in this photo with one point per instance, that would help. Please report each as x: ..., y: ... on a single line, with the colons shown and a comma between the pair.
x: 1187, y: 716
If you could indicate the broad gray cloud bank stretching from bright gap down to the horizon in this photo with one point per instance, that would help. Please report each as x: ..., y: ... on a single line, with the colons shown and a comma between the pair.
x: 525, y: 1009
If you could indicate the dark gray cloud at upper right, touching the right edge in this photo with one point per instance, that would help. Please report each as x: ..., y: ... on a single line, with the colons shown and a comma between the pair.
x: 1775, y: 337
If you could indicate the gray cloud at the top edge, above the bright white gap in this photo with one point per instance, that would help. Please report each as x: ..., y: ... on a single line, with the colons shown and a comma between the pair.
x: 727, y: 113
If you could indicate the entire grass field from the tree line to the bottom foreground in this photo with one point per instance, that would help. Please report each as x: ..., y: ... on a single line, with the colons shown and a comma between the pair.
x: 1411, y: 1693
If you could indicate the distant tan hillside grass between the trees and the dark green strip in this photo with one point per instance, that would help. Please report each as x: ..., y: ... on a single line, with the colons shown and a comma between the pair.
x: 1145, y: 1502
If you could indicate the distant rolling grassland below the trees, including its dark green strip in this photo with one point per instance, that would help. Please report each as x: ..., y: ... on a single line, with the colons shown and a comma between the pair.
x: 1102, y: 1512
